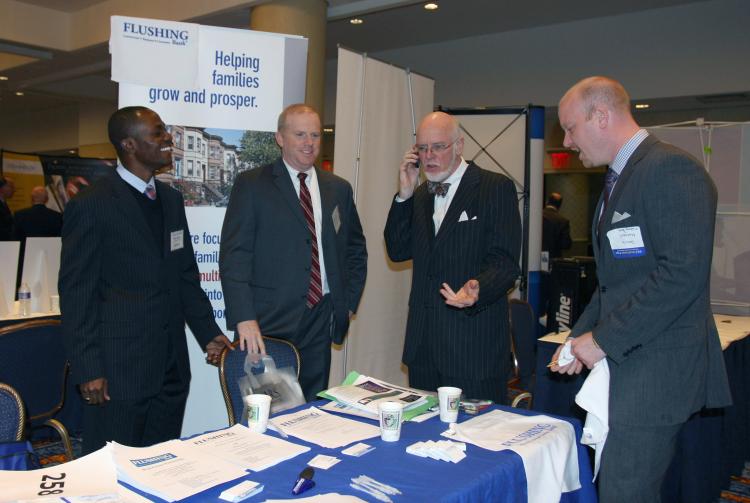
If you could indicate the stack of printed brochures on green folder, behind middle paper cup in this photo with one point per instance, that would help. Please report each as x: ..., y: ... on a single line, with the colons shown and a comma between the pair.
x: 365, y: 393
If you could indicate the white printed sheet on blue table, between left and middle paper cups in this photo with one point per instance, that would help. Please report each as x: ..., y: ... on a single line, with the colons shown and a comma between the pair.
x: 327, y: 430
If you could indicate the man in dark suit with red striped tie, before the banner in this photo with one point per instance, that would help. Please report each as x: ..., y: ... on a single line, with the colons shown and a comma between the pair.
x: 293, y: 259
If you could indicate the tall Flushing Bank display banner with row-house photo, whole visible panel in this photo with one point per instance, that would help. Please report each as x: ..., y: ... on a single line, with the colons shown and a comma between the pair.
x: 220, y: 91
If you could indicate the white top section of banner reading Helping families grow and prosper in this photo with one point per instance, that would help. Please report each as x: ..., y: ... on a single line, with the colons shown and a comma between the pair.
x: 207, y: 76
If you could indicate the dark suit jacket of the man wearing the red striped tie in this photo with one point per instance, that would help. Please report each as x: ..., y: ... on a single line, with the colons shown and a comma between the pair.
x: 266, y: 251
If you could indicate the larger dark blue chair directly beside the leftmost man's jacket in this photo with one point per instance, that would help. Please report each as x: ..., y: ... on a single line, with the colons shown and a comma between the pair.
x: 32, y: 360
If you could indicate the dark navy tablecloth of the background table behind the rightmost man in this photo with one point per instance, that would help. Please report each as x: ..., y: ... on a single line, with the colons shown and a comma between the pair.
x: 711, y: 447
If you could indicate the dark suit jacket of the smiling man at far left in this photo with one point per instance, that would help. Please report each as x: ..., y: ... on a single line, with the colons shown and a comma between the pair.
x: 125, y: 300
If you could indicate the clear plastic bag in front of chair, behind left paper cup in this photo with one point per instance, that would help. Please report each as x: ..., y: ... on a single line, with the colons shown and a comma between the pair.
x: 262, y: 377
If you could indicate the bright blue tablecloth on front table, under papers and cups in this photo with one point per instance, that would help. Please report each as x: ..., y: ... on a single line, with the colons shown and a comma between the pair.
x: 482, y: 476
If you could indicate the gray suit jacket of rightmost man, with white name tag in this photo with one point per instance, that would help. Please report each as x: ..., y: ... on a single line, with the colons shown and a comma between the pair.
x: 651, y: 314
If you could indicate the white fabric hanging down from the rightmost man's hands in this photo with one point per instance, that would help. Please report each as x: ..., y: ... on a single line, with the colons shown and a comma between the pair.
x: 594, y: 399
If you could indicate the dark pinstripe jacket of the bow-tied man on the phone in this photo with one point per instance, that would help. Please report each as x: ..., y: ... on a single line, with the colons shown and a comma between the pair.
x: 474, y: 342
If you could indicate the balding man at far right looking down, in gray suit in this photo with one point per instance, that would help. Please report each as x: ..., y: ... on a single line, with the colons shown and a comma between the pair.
x: 651, y: 315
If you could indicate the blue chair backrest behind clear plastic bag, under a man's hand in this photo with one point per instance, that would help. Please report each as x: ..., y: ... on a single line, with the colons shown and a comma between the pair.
x: 232, y: 368
